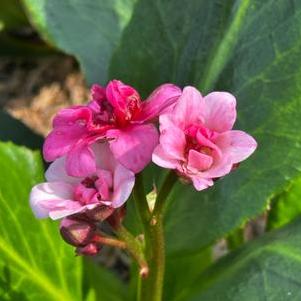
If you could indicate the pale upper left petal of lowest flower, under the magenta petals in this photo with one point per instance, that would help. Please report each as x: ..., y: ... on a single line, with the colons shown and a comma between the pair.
x: 56, y: 172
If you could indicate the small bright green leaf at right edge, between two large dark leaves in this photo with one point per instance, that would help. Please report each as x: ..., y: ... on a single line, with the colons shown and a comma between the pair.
x: 286, y: 206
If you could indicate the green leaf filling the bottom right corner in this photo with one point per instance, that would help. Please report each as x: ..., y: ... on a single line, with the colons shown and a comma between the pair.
x: 266, y: 269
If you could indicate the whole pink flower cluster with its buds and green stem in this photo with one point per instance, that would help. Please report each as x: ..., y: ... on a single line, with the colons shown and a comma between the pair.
x: 99, y: 148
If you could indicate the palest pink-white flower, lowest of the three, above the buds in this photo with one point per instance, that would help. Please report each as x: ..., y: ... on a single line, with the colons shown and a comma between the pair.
x: 110, y: 185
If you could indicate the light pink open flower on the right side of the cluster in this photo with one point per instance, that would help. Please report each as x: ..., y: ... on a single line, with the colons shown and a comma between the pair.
x: 197, y: 139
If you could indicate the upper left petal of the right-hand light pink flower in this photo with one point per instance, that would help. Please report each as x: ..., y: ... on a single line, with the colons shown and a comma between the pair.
x: 189, y: 108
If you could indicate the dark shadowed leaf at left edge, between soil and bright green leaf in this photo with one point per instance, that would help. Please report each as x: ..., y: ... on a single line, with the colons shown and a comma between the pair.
x: 15, y: 131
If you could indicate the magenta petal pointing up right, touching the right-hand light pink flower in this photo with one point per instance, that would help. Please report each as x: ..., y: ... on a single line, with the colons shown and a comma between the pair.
x: 159, y: 101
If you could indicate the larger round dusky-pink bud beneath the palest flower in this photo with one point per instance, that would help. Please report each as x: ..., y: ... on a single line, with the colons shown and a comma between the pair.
x: 77, y: 232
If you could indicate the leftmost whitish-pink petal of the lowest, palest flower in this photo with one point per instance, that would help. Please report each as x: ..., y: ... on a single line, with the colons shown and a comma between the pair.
x: 44, y: 196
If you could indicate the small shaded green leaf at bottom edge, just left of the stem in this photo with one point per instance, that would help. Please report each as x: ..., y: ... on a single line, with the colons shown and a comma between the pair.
x: 102, y: 285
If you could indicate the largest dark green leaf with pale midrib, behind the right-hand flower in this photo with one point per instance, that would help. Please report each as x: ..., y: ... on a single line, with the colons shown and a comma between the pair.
x: 250, y: 48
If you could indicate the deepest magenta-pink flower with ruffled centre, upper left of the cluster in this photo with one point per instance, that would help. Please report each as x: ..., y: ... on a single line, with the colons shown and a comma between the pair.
x: 117, y: 114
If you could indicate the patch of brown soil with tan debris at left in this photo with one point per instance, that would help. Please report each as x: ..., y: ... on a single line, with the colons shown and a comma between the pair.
x: 34, y: 89
